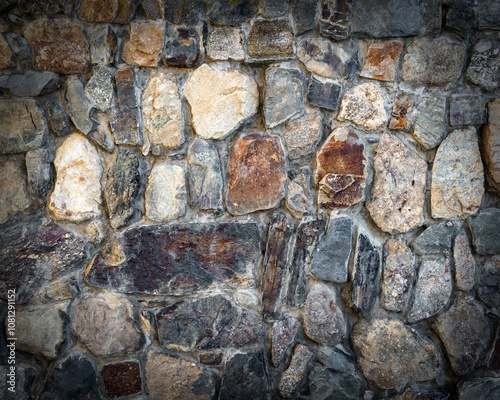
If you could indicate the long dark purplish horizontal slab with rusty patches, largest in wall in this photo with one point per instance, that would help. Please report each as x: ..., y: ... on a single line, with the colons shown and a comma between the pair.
x: 186, y: 258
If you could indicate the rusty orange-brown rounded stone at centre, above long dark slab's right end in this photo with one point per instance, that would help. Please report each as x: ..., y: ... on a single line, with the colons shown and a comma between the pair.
x: 257, y: 173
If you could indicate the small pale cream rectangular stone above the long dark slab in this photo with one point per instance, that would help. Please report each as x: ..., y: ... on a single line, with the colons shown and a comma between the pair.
x: 166, y: 197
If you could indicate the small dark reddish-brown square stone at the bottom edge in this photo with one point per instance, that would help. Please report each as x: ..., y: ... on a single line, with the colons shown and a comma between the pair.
x: 122, y: 379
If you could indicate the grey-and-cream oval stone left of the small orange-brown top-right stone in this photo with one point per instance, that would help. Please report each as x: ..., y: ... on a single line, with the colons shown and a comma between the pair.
x: 326, y: 59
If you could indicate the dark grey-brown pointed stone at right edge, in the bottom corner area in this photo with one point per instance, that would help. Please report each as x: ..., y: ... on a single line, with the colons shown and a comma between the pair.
x: 465, y: 333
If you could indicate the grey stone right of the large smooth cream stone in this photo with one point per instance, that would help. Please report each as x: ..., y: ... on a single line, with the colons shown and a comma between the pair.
x: 284, y: 93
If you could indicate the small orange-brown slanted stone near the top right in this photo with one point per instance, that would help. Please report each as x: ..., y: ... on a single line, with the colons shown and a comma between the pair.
x: 382, y: 61
